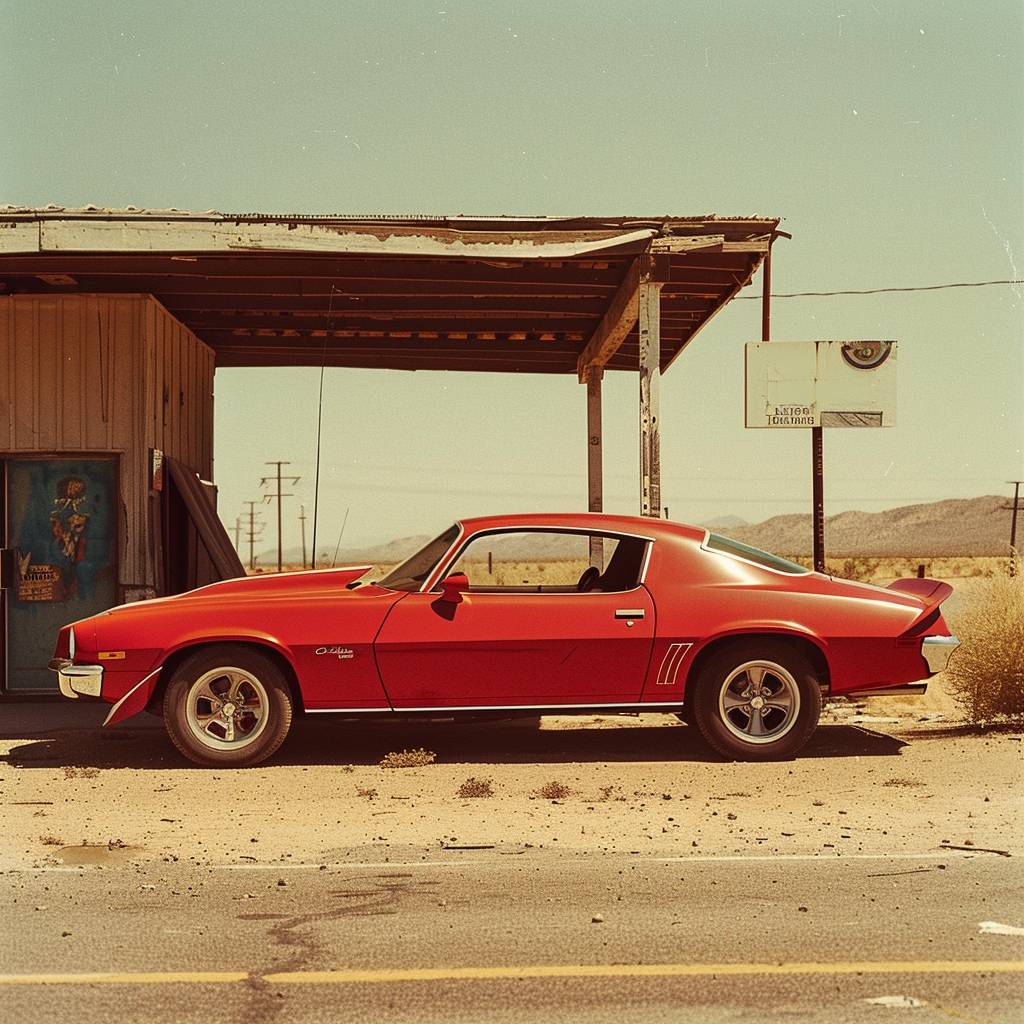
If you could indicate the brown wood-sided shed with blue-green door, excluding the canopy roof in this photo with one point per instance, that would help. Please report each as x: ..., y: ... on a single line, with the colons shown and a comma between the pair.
x: 98, y: 395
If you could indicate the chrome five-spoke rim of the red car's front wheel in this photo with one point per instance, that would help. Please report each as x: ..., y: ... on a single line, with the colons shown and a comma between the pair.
x: 227, y: 709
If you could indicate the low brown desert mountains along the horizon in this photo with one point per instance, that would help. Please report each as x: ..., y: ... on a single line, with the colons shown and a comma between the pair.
x: 956, y: 527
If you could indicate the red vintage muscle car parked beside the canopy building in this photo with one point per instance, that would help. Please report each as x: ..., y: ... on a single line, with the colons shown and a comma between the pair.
x: 519, y: 614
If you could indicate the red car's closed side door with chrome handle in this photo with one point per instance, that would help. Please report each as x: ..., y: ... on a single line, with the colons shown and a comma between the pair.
x: 525, y: 645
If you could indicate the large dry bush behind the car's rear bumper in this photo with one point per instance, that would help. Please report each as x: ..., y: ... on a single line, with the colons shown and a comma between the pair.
x: 987, y: 673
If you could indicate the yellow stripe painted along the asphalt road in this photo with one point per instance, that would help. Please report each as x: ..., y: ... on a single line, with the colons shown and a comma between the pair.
x: 524, y: 971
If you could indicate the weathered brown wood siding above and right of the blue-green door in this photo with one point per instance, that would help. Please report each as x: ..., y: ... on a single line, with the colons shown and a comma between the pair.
x: 107, y: 374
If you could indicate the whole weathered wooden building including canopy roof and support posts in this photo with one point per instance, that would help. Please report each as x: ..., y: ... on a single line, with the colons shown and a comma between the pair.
x: 112, y: 323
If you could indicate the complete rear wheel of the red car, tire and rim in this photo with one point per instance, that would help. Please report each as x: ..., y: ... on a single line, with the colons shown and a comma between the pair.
x: 726, y: 705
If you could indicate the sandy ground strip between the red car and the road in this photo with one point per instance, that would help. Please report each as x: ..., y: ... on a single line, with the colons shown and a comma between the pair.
x: 644, y: 785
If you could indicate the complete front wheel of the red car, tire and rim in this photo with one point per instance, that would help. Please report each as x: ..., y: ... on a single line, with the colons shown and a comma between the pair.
x: 208, y: 727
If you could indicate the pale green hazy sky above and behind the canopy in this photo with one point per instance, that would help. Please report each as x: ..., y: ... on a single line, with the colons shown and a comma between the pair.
x: 889, y: 138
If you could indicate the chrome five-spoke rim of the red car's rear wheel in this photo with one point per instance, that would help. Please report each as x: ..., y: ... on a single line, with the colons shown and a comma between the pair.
x: 759, y: 702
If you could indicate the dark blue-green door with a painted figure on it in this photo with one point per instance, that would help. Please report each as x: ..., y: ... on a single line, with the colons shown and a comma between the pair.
x: 61, y: 526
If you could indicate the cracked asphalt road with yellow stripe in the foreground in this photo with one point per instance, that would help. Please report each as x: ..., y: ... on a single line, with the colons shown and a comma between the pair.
x: 479, y: 935
